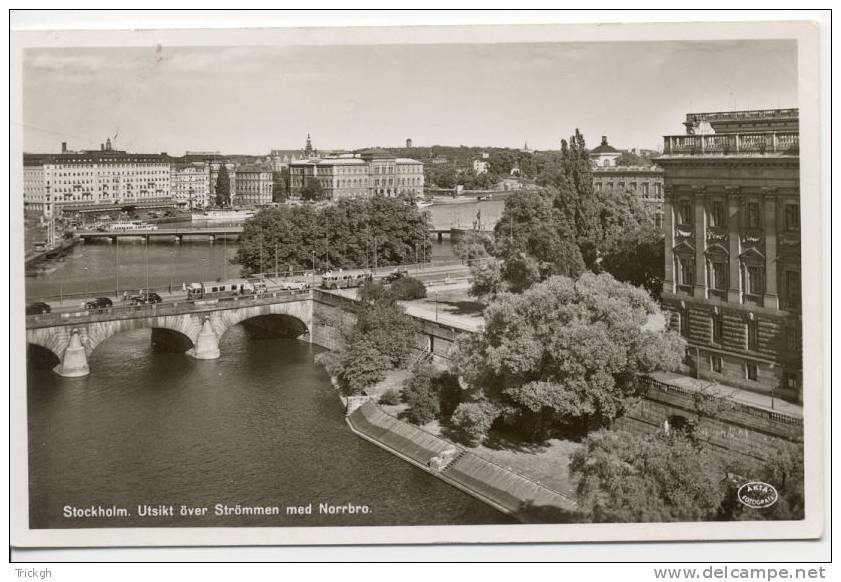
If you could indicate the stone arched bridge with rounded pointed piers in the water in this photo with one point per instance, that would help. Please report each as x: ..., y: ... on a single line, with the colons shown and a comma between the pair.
x: 72, y: 337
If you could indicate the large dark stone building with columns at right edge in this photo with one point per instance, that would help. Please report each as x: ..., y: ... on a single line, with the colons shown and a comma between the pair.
x: 732, y: 259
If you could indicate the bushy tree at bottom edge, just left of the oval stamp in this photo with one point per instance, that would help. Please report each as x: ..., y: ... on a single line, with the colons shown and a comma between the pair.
x: 626, y: 477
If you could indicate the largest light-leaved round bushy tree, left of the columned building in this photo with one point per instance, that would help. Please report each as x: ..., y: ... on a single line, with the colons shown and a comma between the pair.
x: 566, y: 353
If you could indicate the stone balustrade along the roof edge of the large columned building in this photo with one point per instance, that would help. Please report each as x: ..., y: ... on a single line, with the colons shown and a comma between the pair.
x: 733, y: 144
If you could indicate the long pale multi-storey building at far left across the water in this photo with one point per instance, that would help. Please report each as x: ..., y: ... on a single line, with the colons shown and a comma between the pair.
x: 58, y: 182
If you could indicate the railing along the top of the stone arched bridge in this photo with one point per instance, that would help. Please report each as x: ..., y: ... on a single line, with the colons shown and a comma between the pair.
x: 162, y: 309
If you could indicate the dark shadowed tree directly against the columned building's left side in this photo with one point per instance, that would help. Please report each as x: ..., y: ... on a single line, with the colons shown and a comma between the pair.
x: 638, y: 259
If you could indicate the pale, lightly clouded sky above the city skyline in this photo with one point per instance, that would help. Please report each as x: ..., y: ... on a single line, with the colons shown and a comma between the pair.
x: 249, y: 100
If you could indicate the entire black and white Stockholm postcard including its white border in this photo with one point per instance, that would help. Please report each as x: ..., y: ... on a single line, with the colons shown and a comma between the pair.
x: 373, y: 285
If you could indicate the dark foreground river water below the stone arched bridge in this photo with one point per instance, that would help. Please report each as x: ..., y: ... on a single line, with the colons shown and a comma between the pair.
x: 261, y: 426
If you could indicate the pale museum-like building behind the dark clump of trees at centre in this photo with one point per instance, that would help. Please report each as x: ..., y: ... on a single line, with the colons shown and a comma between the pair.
x: 353, y: 176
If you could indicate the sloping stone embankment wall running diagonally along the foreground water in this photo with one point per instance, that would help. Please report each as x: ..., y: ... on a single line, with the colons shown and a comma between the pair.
x: 503, y: 489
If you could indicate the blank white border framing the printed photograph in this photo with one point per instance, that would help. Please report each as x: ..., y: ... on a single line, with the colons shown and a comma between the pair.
x: 809, y: 100
